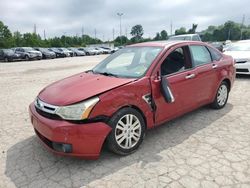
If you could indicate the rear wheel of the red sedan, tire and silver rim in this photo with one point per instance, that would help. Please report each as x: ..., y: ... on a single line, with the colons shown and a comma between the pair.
x: 221, y: 96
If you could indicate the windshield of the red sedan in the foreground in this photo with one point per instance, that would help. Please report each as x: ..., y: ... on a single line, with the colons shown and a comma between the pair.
x: 132, y: 62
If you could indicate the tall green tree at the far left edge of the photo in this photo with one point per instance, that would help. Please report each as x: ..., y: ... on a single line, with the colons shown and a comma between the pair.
x: 6, y: 40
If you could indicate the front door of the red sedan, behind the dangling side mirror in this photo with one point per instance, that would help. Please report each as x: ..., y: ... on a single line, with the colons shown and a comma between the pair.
x: 176, y: 68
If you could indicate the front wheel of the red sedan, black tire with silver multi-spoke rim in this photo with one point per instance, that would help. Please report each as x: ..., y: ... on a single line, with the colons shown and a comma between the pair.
x: 128, y: 129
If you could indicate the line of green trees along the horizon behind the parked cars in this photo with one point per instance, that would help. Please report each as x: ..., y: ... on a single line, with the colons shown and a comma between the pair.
x: 228, y: 31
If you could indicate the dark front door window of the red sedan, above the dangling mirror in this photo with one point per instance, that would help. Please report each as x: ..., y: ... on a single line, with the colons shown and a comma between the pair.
x: 175, y: 62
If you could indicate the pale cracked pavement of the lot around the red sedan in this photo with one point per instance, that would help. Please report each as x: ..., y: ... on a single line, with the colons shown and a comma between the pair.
x: 205, y: 148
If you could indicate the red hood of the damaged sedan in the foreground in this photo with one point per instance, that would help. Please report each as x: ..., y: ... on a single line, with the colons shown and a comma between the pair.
x: 79, y: 87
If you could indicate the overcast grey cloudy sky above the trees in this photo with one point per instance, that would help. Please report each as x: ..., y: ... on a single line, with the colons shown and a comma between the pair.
x: 72, y: 17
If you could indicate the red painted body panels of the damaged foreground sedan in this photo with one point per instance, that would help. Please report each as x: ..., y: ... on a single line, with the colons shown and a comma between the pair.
x: 116, y: 93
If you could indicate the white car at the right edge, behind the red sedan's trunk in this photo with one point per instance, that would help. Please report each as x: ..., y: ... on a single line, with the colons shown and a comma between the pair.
x: 240, y: 51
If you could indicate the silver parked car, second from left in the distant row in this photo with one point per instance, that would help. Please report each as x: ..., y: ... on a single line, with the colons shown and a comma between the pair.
x: 28, y: 53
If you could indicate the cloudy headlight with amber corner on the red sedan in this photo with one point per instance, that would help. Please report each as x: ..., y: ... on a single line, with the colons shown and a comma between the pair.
x: 77, y: 111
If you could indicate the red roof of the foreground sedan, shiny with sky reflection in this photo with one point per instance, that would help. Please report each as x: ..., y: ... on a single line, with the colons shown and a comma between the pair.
x: 166, y: 43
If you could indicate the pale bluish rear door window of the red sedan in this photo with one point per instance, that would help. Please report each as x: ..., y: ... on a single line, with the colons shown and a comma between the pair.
x: 200, y: 55
